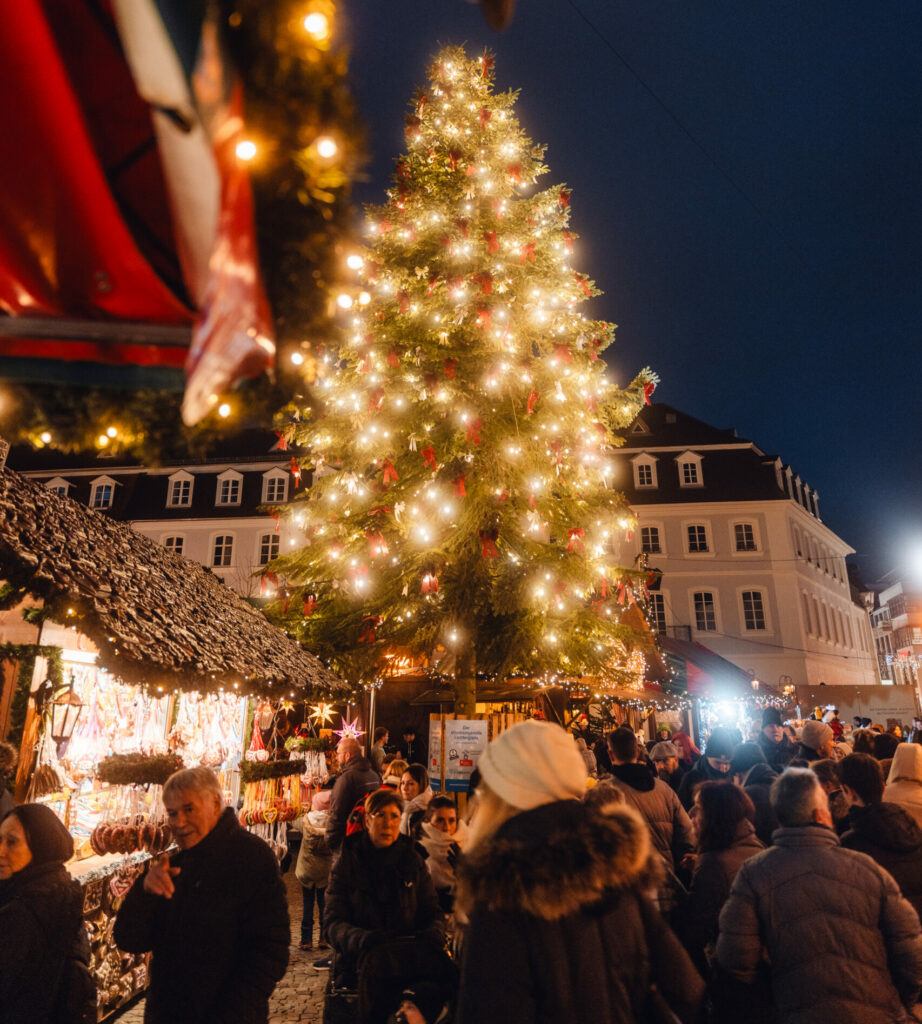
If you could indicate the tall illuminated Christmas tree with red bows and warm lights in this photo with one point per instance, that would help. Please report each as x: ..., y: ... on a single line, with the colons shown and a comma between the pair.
x: 462, y: 506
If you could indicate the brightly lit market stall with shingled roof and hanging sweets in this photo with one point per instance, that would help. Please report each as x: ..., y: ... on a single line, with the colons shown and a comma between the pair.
x: 137, y: 655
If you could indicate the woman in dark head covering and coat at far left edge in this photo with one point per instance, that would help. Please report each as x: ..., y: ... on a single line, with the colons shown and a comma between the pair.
x: 41, y: 924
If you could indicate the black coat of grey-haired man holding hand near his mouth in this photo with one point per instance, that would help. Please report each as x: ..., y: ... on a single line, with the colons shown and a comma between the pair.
x: 221, y: 944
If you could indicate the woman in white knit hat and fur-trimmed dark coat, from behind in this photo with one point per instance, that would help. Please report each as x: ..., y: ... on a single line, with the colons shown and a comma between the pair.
x: 556, y: 892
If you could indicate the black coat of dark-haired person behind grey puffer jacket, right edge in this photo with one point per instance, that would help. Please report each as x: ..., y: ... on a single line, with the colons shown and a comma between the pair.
x: 890, y: 836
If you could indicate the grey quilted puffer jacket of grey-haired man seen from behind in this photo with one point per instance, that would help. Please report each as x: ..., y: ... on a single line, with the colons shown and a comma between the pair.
x: 807, y: 894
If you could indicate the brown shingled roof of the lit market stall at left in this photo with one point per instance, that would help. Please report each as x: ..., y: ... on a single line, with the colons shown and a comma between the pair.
x: 155, y: 617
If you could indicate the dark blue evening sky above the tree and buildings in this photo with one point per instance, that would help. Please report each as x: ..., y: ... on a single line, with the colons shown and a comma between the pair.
x: 769, y: 267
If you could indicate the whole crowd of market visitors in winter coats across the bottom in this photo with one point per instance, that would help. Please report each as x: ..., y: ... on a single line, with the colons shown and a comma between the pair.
x: 776, y: 878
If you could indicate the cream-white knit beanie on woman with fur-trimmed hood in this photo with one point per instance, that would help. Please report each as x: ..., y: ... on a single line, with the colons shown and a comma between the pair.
x: 534, y: 763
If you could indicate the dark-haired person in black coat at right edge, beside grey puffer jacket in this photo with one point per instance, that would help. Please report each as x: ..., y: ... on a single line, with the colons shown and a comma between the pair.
x: 885, y: 832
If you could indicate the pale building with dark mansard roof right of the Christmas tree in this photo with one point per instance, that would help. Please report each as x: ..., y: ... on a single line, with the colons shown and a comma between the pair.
x: 749, y: 569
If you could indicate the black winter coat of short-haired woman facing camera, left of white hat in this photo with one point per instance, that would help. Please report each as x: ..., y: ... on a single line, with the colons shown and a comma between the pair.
x: 376, y: 894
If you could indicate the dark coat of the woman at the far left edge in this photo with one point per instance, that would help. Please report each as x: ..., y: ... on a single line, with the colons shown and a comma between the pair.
x: 41, y: 924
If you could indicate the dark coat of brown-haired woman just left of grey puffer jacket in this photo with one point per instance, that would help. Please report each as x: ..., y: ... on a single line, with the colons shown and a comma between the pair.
x: 715, y: 874
